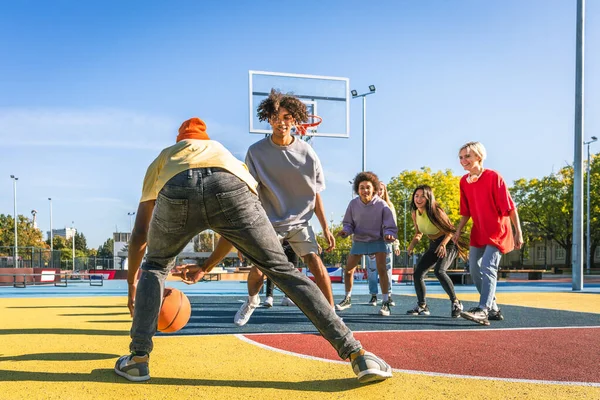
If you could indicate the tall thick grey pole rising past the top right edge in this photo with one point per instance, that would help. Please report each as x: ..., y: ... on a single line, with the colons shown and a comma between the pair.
x: 577, y: 247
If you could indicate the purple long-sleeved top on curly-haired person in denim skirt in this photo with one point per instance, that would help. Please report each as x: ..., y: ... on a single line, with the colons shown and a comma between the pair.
x: 369, y: 222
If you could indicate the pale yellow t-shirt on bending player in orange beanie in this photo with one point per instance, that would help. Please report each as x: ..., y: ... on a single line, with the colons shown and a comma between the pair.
x: 187, y: 154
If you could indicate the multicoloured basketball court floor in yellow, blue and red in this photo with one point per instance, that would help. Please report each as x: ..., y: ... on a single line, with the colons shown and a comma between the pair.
x: 62, y: 343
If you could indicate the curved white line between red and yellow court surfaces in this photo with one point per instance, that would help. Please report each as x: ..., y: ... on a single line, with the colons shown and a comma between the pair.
x: 244, y: 338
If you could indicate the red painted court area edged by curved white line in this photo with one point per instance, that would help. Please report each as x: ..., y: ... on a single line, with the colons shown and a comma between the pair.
x: 565, y: 355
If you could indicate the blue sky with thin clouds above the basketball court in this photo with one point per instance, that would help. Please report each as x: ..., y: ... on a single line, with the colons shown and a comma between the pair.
x: 91, y: 91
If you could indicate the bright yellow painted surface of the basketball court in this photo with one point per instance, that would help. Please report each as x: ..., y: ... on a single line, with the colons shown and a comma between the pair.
x: 65, y: 348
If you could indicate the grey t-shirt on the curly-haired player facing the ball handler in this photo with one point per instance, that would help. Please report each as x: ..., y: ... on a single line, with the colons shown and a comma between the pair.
x: 289, y: 177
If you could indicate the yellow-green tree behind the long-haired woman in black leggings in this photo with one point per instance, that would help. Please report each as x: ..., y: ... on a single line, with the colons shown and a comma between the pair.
x: 445, y: 187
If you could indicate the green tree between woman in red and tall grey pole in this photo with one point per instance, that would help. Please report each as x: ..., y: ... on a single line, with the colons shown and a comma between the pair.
x: 546, y: 208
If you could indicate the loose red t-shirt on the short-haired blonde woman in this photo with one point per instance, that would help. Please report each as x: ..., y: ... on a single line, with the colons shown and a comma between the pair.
x: 488, y: 203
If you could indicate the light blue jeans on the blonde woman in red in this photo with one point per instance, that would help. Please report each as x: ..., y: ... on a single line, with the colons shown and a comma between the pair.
x: 483, y: 264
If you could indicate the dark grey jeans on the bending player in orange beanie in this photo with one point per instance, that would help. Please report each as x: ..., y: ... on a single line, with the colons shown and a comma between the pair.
x: 213, y: 198
